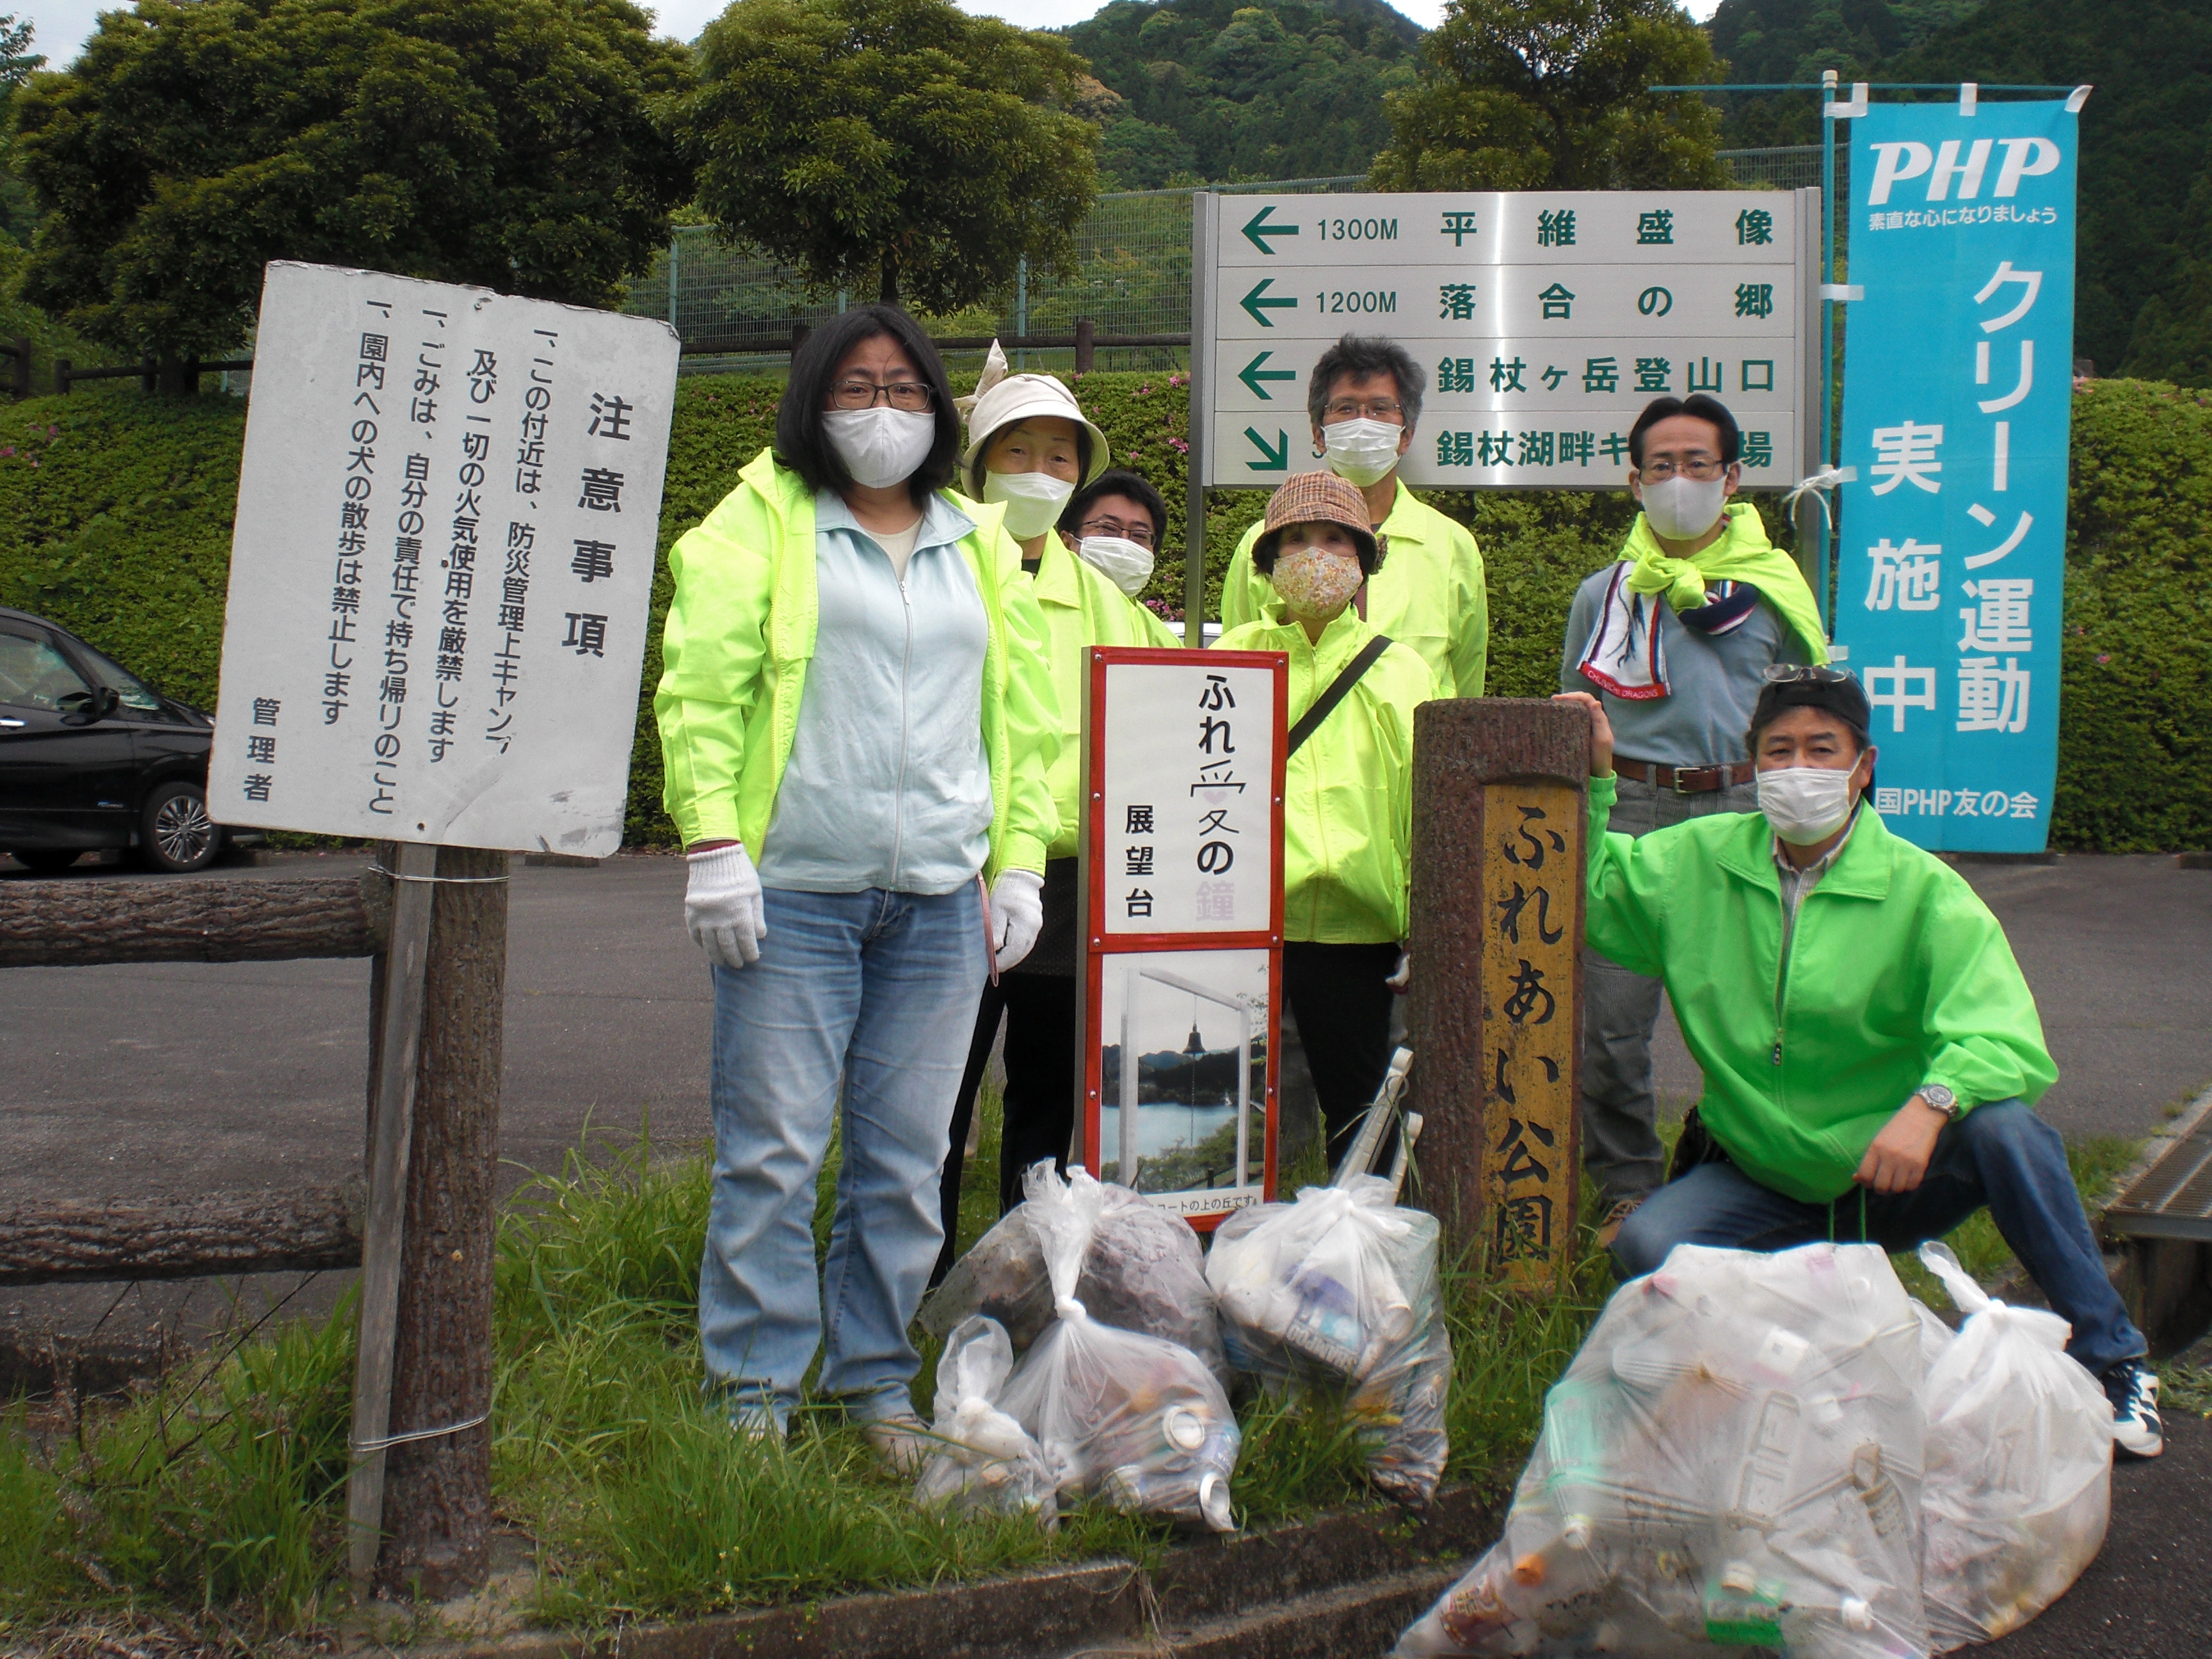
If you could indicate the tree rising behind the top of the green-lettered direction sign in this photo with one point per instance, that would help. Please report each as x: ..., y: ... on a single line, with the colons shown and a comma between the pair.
x: 1552, y: 94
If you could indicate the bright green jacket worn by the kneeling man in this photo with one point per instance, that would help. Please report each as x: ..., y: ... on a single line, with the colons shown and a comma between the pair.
x: 1897, y: 977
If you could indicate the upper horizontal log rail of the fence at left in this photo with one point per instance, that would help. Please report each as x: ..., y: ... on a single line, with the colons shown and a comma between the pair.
x: 54, y: 924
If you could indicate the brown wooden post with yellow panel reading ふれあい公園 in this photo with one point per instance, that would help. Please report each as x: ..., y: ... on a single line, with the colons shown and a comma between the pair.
x: 1501, y: 795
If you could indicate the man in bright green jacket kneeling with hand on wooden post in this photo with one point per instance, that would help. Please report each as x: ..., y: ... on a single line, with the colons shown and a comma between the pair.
x: 1870, y: 1050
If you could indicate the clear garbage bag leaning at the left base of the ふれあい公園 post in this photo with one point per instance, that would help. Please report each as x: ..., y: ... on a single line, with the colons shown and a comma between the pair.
x: 1344, y: 1288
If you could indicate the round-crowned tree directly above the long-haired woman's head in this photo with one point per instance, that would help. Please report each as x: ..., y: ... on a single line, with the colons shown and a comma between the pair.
x: 893, y: 145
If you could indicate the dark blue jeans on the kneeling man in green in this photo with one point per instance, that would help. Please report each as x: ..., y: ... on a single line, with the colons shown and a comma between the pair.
x: 2001, y: 1156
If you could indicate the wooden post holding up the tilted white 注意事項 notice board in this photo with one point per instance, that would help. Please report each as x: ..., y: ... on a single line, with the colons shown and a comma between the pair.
x: 439, y: 1490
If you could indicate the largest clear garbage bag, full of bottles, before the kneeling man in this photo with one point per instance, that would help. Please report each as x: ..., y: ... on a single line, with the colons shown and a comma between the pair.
x: 1733, y: 1461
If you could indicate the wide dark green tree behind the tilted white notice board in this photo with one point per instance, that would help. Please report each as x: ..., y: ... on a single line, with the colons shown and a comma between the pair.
x: 503, y: 143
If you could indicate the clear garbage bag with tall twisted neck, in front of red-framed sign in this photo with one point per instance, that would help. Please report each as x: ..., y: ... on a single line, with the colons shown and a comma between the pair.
x: 1129, y: 1419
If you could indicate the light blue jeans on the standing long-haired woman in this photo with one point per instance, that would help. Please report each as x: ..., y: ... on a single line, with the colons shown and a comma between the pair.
x: 877, y: 990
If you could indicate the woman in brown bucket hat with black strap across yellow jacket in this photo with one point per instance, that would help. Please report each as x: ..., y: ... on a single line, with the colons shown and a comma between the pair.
x: 1348, y: 789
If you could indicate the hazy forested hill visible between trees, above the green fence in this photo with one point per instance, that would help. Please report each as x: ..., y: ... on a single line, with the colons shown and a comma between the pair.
x: 1215, y: 90
